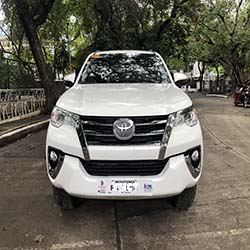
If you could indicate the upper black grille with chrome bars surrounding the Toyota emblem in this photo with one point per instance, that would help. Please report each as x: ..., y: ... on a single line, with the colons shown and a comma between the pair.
x: 148, y: 130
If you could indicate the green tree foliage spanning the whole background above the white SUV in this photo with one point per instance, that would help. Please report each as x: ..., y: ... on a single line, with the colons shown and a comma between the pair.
x: 214, y: 32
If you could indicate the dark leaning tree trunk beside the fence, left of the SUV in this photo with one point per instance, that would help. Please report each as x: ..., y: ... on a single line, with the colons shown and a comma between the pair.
x: 30, y: 15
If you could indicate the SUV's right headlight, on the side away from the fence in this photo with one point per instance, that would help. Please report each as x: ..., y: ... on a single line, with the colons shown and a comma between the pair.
x: 188, y: 116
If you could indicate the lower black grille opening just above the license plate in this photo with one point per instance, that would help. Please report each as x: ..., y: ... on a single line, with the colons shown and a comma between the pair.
x: 124, y: 168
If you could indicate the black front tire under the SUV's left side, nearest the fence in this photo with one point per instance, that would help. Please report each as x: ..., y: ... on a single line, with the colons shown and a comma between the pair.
x: 64, y: 200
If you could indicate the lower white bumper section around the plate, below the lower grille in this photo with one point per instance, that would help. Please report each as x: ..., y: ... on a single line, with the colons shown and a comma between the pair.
x: 75, y: 180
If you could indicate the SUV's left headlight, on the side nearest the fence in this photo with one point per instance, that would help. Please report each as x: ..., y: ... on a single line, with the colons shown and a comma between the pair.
x: 60, y: 117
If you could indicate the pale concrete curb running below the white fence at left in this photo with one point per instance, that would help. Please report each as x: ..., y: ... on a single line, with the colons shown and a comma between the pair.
x: 19, y: 133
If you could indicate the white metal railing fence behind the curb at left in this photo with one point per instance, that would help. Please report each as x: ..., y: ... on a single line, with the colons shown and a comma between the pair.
x: 20, y: 103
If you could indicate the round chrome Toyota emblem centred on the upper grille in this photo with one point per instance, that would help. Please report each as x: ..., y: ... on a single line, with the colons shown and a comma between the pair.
x: 124, y: 129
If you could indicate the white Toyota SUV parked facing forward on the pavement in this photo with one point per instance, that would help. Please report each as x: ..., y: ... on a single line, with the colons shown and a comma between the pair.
x: 124, y: 131
